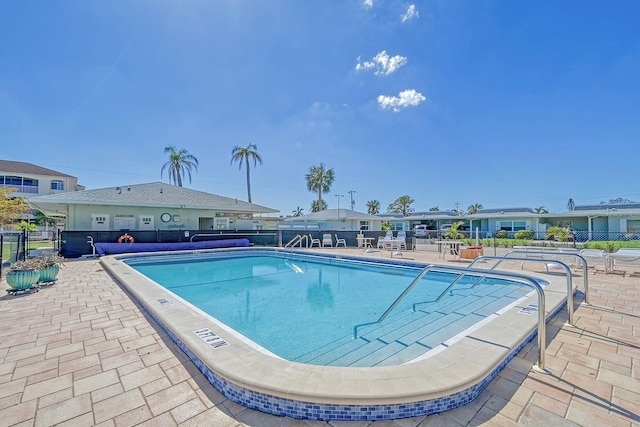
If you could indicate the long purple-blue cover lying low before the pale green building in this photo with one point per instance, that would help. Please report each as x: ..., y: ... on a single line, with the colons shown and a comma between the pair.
x: 122, y: 248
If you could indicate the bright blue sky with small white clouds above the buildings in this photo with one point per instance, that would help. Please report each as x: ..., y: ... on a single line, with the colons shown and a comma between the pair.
x: 502, y: 103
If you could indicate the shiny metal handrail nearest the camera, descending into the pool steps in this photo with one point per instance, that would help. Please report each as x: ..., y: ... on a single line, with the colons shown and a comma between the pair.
x: 542, y: 325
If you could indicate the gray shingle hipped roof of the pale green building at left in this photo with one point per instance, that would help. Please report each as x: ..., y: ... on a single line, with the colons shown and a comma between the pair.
x: 155, y: 194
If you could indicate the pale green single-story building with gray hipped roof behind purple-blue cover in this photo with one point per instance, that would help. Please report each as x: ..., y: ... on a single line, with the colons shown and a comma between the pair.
x: 152, y: 206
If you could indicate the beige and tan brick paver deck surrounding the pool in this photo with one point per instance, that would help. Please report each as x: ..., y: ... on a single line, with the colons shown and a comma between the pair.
x: 81, y: 352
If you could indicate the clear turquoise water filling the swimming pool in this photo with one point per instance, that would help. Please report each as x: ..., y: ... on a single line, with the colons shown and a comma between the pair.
x: 305, y: 308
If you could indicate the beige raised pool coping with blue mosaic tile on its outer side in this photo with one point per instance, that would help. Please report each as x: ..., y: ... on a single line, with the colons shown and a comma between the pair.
x: 297, y: 390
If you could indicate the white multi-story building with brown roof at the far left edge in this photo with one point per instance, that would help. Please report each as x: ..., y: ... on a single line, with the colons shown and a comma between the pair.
x: 31, y: 180
